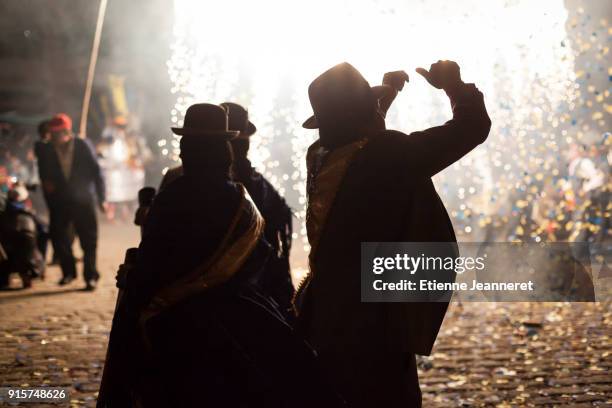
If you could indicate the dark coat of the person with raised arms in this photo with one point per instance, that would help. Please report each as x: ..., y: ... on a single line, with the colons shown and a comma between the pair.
x: 387, y: 195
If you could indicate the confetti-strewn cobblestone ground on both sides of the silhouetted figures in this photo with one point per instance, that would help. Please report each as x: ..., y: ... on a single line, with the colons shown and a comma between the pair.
x: 486, y: 354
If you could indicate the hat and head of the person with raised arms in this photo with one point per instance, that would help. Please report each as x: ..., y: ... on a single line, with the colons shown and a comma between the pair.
x: 344, y: 105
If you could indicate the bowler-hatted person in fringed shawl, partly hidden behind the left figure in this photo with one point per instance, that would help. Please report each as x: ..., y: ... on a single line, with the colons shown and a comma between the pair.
x: 276, y: 279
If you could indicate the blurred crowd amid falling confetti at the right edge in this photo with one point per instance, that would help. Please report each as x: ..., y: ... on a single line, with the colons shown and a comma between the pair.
x: 570, y: 203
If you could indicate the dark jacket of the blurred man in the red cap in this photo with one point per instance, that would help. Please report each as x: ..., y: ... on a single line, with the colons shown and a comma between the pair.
x: 86, y: 182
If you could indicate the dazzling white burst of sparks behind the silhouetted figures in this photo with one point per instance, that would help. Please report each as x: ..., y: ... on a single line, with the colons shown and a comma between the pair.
x: 264, y: 54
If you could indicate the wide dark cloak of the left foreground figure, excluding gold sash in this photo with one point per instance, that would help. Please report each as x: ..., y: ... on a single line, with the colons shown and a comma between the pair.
x: 223, y: 347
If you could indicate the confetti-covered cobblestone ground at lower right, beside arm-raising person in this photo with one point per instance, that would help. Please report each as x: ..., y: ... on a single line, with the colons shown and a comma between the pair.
x: 521, y: 354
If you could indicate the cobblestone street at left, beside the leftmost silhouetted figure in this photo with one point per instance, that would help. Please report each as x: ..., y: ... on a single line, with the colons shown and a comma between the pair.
x: 58, y: 335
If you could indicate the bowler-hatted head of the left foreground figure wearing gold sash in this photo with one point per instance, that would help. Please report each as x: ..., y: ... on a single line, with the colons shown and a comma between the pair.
x: 205, y: 144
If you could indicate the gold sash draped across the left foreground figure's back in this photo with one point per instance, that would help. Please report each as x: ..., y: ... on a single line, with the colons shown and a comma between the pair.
x: 220, y: 267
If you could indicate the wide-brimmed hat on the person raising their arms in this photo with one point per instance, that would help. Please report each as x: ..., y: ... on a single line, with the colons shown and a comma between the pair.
x: 342, y: 94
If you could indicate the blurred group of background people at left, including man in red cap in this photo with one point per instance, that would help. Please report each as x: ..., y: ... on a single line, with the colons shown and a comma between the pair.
x: 51, y: 184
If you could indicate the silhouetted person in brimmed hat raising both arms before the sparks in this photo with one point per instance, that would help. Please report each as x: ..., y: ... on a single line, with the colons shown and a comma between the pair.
x: 368, y: 184
